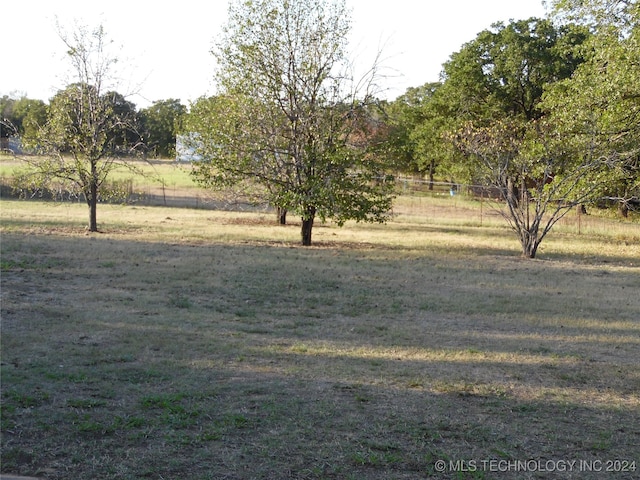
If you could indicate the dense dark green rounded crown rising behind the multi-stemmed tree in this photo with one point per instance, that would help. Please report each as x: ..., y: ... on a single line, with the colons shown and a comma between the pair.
x: 504, y: 71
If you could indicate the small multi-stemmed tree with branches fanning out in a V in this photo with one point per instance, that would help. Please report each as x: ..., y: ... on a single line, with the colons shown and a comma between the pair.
x: 526, y: 162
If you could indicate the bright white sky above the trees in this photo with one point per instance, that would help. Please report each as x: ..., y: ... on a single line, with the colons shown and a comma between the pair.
x: 163, y: 49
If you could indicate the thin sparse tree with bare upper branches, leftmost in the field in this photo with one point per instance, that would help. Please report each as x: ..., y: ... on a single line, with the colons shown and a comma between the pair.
x: 85, y: 122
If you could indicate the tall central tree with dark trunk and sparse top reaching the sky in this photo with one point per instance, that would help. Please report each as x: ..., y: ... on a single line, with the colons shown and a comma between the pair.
x: 288, y: 116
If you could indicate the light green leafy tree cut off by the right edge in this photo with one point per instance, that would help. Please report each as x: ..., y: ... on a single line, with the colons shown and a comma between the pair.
x: 598, y: 108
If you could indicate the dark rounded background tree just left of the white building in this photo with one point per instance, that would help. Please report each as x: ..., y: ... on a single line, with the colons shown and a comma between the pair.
x: 161, y: 122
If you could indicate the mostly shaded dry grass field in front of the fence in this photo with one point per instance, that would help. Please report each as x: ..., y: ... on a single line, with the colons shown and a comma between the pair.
x: 200, y: 344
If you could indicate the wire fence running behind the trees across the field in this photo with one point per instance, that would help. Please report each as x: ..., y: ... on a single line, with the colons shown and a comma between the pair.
x: 418, y: 200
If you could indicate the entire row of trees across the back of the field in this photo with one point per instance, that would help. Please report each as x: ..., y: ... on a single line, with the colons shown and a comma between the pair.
x: 545, y: 112
